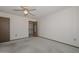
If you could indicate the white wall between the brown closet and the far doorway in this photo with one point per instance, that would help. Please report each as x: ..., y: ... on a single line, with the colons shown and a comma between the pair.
x: 18, y: 26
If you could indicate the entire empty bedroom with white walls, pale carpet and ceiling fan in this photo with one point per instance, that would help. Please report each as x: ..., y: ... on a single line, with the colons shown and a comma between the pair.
x: 39, y: 29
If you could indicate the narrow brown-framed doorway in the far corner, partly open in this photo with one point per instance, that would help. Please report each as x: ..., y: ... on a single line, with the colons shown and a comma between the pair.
x: 33, y: 29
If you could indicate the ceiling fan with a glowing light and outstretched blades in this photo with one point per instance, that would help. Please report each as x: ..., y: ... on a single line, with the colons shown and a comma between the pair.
x: 27, y: 10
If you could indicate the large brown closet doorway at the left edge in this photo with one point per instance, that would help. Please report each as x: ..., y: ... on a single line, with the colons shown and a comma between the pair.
x: 4, y: 29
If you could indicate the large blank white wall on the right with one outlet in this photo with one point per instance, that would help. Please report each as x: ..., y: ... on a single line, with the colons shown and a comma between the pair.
x: 62, y: 26
